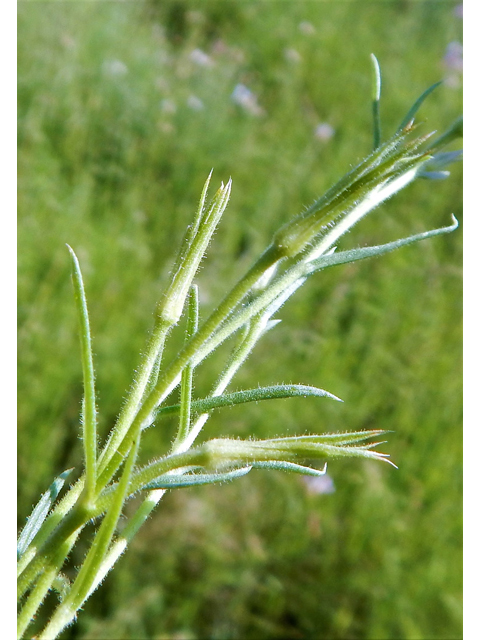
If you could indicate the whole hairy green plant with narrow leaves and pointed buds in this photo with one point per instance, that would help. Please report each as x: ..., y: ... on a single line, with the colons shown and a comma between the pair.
x: 300, y: 249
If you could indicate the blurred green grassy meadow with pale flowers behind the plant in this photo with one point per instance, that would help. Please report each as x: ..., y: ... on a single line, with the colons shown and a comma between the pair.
x: 119, y: 124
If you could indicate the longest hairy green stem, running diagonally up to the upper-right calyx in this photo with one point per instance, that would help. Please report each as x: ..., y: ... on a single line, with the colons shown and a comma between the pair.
x: 286, y: 242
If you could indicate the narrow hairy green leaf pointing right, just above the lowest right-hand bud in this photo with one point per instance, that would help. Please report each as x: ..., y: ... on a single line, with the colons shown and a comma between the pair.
x: 249, y: 395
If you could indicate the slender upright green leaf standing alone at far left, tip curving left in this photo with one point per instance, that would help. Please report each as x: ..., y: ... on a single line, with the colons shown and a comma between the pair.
x: 89, y: 418
